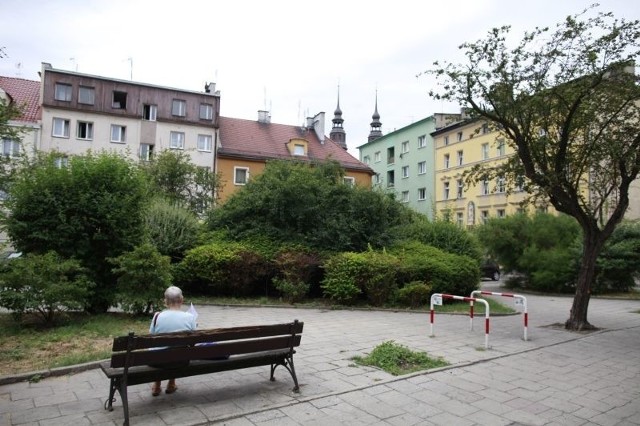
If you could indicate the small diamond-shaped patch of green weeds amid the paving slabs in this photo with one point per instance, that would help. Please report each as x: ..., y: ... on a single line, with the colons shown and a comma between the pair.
x: 398, y: 360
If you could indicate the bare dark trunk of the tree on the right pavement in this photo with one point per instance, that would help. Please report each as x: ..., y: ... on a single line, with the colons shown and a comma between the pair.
x: 578, y: 314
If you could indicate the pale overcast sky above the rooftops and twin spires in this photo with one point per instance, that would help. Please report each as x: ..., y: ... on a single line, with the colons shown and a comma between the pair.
x: 286, y: 56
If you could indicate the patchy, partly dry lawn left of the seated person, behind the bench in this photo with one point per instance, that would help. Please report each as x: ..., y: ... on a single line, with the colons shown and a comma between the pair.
x: 80, y: 338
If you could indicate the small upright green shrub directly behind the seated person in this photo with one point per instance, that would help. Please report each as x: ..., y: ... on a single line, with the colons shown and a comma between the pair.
x: 142, y: 276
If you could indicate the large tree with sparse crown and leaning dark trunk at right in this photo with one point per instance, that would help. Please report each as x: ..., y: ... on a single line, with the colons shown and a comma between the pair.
x: 567, y: 101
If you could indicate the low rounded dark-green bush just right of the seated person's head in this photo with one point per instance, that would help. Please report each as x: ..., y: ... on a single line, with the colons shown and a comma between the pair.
x: 222, y: 269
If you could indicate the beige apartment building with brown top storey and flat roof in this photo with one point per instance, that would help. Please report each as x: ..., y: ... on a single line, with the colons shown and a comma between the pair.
x: 81, y: 112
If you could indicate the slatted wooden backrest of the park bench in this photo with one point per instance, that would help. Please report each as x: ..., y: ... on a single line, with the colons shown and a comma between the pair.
x: 164, y: 348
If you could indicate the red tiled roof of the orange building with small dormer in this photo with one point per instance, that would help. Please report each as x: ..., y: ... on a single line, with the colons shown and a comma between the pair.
x: 264, y: 141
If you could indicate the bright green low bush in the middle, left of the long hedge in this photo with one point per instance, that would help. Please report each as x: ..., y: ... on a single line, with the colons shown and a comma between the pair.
x: 370, y: 273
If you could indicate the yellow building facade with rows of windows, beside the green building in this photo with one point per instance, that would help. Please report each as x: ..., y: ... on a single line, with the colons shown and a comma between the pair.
x: 459, y: 147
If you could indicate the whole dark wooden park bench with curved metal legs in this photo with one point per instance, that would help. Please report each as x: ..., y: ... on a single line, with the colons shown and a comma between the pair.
x: 235, y: 348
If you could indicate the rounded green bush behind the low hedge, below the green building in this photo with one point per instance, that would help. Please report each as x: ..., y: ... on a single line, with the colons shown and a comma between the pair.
x: 444, y: 235
